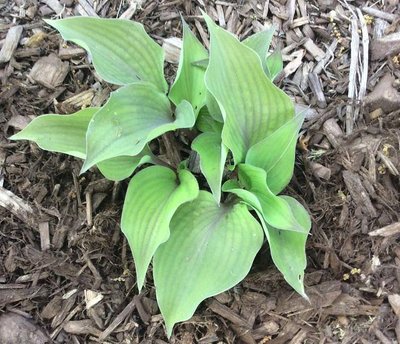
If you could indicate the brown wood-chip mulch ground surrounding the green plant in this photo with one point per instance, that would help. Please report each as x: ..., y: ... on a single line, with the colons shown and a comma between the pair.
x: 57, y: 257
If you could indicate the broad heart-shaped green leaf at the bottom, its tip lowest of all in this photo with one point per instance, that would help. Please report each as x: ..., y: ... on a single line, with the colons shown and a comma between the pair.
x: 211, y: 249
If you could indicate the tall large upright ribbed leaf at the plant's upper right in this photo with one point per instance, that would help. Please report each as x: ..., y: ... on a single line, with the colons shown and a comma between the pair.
x: 252, y: 106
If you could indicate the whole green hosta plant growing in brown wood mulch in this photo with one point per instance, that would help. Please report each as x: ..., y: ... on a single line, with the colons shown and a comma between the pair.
x: 199, y: 242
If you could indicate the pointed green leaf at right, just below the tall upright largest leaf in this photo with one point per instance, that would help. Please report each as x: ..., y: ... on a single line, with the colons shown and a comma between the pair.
x: 276, y: 154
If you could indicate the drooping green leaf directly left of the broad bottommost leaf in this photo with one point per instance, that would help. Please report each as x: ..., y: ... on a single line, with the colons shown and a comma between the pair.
x: 153, y: 196
